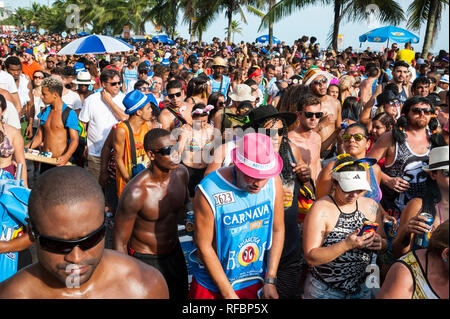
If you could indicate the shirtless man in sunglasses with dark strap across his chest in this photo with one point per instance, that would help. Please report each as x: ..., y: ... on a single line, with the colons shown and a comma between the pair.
x: 176, y: 113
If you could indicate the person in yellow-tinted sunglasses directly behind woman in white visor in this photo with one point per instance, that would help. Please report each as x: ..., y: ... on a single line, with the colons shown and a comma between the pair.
x: 355, y: 143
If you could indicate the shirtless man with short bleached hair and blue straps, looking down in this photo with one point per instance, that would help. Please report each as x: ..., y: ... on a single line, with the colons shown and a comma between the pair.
x: 51, y: 130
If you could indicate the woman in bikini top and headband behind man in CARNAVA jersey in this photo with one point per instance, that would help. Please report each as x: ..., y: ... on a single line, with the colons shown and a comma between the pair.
x: 195, y: 144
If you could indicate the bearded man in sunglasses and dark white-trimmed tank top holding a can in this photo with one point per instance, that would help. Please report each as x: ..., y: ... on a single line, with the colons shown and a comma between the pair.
x: 406, y: 149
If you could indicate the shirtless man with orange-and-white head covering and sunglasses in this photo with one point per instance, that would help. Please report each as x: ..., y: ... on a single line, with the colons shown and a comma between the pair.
x: 330, y: 124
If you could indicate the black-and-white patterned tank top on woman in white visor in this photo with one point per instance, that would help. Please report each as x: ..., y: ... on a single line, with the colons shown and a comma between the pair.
x: 348, y: 271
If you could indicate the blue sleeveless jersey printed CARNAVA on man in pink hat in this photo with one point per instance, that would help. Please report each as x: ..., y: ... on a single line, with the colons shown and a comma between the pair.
x: 243, y: 228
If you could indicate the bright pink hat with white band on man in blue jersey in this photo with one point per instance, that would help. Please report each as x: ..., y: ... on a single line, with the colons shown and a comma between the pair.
x: 255, y: 157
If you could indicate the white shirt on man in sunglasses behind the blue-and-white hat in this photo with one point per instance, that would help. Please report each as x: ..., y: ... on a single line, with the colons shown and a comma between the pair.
x: 100, y: 118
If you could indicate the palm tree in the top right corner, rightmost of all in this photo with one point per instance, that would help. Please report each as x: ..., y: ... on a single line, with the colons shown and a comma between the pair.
x: 430, y: 11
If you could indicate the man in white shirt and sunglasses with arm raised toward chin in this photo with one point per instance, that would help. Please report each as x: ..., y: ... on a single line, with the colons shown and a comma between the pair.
x: 101, y: 111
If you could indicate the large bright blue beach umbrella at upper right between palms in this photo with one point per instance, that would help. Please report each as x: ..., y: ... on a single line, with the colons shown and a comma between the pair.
x: 392, y: 33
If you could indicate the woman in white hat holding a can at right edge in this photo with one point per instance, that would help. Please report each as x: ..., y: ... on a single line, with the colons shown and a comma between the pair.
x: 413, y: 227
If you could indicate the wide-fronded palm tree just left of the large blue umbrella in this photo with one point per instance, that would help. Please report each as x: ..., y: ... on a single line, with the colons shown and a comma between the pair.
x: 352, y: 10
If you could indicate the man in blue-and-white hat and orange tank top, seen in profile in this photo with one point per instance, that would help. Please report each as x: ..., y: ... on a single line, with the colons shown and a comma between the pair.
x: 129, y: 150
